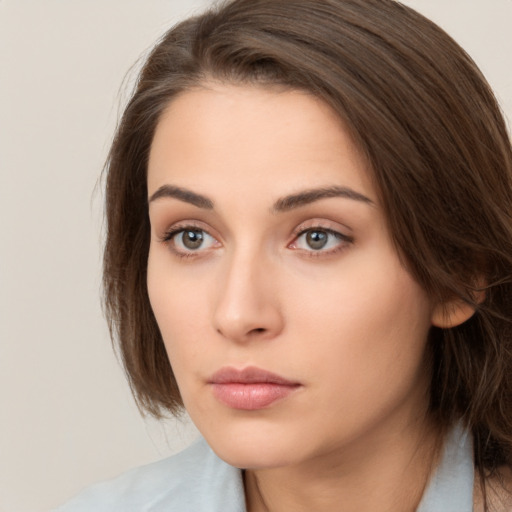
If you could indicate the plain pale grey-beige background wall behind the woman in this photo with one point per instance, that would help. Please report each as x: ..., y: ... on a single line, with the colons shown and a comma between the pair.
x: 67, y: 417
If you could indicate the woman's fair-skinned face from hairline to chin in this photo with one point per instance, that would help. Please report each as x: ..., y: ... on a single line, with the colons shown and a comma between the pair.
x: 291, y: 325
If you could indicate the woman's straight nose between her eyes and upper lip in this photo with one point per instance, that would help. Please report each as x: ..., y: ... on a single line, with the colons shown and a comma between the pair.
x: 247, y: 305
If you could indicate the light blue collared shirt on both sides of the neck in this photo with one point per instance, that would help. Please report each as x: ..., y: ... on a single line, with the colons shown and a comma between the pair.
x: 196, y: 480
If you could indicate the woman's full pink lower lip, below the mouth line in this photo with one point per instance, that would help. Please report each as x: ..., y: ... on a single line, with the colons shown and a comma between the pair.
x: 251, y: 397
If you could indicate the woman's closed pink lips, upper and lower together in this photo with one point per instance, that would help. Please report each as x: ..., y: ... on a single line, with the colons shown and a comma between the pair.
x: 251, y: 388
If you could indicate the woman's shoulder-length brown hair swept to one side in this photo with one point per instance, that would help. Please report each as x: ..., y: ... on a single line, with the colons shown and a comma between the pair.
x: 421, y: 112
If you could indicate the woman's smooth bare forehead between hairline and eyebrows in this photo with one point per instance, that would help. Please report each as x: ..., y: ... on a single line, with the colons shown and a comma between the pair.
x: 250, y: 138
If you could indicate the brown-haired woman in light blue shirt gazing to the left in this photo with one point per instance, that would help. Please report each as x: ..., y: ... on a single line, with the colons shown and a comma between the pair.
x: 309, y: 248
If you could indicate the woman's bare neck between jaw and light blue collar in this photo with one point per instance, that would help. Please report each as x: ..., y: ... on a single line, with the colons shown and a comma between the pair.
x: 383, y: 470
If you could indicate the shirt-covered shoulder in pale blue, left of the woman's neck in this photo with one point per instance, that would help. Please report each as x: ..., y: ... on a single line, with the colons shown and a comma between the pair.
x: 188, y: 481
